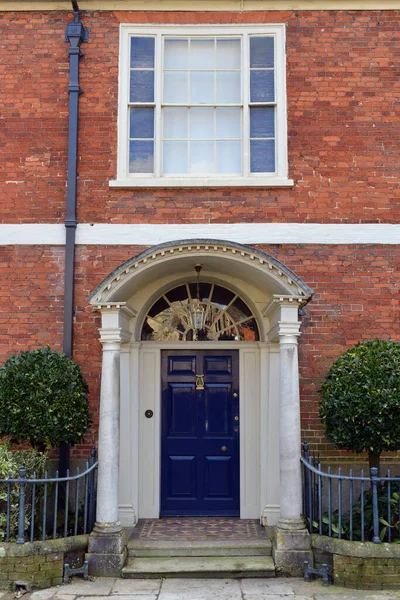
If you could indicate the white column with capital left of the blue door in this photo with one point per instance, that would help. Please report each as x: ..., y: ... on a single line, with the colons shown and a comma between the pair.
x: 114, y: 331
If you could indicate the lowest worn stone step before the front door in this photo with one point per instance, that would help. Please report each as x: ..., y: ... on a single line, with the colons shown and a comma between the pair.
x: 210, y: 566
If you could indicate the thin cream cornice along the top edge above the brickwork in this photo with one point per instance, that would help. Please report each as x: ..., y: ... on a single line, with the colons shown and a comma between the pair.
x: 199, y: 5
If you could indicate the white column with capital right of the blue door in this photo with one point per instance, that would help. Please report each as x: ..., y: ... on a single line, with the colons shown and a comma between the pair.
x: 285, y: 328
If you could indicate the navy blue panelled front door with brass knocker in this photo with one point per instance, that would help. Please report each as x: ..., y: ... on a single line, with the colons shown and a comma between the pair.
x: 200, y: 433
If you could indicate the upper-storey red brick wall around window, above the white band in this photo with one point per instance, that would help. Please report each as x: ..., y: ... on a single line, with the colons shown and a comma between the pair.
x: 343, y: 120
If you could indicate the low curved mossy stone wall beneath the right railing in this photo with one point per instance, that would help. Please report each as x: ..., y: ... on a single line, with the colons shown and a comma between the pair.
x: 359, y: 565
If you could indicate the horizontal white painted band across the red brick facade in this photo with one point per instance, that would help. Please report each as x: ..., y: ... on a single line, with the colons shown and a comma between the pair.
x: 100, y: 234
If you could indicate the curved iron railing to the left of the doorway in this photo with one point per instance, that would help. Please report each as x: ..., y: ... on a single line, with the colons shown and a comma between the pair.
x: 48, y: 507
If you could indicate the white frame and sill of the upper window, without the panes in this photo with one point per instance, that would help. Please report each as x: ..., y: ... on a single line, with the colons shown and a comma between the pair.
x: 277, y: 179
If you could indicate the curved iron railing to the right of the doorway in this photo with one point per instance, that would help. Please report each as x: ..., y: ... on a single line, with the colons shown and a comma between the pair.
x: 361, y: 507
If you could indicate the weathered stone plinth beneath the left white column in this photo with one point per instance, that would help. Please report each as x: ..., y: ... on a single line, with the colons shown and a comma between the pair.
x: 107, y: 550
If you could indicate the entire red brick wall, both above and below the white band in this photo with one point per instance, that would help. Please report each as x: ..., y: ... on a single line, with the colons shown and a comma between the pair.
x: 343, y: 90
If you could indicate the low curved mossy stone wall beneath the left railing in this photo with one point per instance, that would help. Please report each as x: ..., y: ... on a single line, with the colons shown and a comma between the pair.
x: 39, y: 564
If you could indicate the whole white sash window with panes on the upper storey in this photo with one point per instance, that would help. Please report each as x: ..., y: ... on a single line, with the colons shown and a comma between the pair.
x: 202, y: 106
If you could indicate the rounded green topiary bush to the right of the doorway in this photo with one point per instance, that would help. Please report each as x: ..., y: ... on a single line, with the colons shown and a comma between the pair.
x: 360, y: 399
